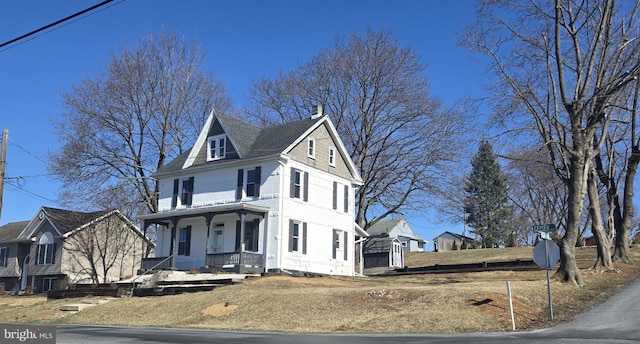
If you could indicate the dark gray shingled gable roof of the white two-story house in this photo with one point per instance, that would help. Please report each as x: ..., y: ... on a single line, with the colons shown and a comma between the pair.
x: 250, y: 141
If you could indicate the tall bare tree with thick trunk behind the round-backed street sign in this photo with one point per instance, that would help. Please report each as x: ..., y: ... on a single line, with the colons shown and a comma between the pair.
x: 562, y: 63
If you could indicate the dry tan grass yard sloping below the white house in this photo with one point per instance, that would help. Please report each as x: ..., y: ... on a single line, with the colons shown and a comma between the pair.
x: 442, y: 303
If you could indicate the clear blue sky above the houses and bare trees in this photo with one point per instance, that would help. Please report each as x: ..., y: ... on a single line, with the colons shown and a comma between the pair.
x: 243, y: 41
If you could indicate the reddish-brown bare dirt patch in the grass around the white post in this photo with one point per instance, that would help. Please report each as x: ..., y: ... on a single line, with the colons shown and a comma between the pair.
x: 497, y: 305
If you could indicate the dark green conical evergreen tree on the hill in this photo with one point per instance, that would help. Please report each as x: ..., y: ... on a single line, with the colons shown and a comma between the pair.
x: 486, y: 204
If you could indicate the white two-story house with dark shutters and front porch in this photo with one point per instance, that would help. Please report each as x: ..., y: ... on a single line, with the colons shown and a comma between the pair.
x: 245, y: 198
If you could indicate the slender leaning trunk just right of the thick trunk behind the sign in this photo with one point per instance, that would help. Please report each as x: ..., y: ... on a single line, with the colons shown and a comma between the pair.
x: 603, y: 261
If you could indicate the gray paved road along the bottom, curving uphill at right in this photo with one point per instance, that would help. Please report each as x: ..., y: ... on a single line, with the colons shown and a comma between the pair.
x: 615, y: 321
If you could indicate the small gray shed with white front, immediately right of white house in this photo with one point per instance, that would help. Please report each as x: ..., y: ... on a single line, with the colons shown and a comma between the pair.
x: 383, y: 252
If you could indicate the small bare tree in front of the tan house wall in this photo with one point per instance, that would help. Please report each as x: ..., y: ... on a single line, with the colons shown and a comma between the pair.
x: 104, y: 244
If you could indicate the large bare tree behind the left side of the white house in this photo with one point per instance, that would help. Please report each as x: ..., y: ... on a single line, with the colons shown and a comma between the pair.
x: 123, y: 124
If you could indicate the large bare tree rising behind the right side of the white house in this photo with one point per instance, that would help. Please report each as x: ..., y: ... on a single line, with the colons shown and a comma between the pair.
x: 376, y: 93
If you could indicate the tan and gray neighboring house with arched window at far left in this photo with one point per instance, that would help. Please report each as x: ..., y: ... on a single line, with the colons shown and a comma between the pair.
x: 35, y: 254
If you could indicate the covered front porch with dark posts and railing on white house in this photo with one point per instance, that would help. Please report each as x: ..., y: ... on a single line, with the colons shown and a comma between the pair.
x: 231, y: 238
